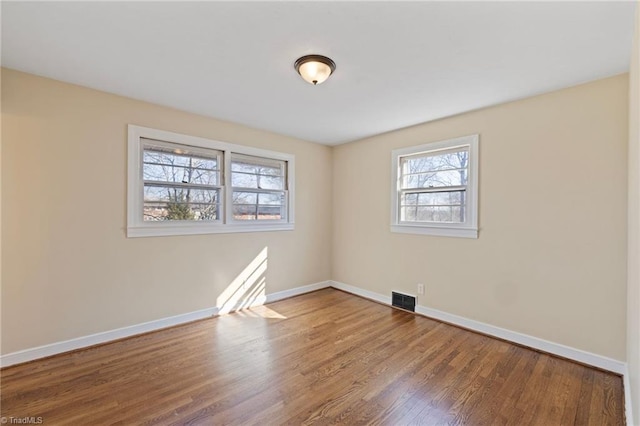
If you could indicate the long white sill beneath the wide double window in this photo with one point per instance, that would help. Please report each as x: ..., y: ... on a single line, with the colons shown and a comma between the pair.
x: 189, y: 229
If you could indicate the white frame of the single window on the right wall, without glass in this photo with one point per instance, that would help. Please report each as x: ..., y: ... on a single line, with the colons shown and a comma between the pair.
x: 466, y: 229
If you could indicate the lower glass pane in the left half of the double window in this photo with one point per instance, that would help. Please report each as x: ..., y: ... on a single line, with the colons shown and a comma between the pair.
x: 165, y: 203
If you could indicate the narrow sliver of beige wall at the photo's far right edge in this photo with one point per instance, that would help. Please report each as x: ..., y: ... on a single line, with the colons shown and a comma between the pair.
x: 633, y: 267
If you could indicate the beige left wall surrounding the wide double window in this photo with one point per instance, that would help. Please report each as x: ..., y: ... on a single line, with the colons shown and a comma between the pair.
x: 68, y: 269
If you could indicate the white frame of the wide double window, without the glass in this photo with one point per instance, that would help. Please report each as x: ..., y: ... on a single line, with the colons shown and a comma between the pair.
x: 137, y: 227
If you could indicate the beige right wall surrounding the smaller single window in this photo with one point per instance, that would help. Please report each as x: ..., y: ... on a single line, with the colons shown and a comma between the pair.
x: 550, y: 260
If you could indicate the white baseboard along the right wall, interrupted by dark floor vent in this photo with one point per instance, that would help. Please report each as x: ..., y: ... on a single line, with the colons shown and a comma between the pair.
x: 558, y: 349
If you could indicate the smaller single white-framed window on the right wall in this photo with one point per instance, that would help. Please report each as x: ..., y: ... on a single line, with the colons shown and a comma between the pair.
x: 435, y: 188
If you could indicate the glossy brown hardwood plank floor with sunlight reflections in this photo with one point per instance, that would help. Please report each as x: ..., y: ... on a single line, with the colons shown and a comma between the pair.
x: 326, y: 357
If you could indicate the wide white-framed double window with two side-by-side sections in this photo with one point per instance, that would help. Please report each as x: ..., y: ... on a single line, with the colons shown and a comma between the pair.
x: 181, y: 184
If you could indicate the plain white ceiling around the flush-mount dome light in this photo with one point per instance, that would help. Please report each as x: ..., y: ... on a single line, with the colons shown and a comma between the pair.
x: 398, y: 64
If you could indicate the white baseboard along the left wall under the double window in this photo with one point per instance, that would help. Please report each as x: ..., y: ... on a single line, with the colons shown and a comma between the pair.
x: 111, y: 335
